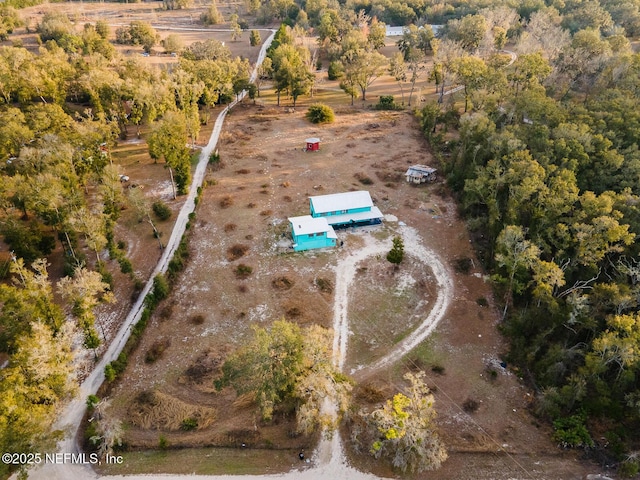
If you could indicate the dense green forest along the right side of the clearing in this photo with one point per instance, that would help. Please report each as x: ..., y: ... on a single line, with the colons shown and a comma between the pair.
x: 544, y: 161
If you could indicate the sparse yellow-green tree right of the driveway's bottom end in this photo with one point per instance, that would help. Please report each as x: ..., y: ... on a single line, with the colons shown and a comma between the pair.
x: 405, y: 428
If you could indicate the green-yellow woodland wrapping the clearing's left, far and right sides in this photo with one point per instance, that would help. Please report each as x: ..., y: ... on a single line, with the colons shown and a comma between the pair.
x: 540, y: 147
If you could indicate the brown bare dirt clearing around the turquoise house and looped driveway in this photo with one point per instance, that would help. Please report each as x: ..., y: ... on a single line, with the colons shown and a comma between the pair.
x: 266, y: 177
